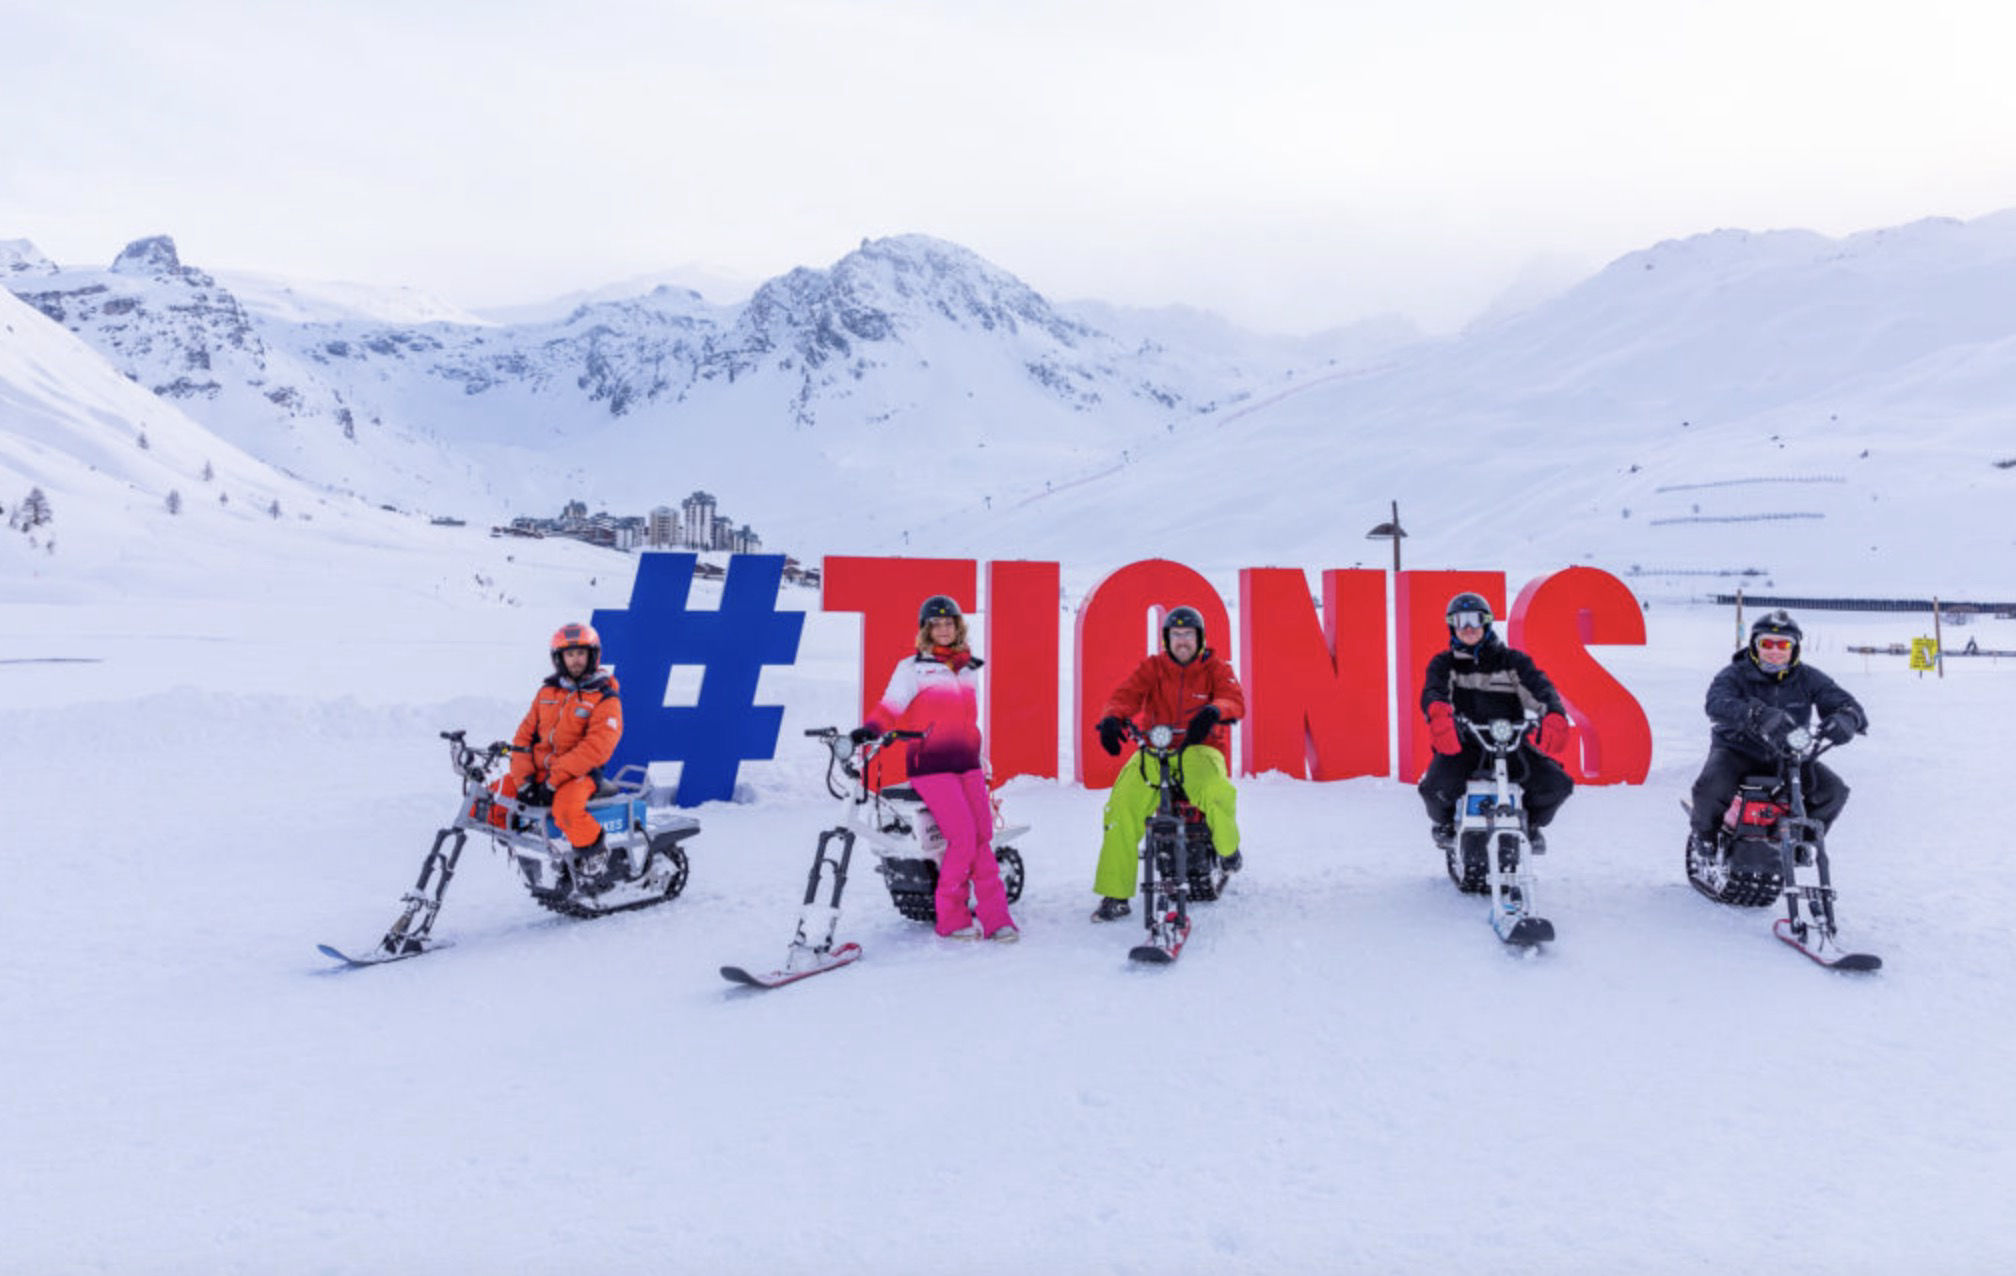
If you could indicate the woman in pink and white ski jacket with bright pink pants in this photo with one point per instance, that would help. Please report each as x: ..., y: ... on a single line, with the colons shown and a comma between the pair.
x: 938, y: 692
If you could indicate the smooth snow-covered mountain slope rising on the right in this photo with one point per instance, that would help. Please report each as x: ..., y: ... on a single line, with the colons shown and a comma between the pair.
x: 1828, y: 412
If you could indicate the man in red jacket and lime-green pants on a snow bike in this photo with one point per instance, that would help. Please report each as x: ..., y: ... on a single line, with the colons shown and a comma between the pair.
x: 1184, y: 686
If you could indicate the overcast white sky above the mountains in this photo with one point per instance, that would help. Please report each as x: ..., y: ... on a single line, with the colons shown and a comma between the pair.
x: 1287, y: 164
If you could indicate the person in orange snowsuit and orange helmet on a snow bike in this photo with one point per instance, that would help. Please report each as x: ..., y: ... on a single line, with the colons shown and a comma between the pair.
x: 568, y: 737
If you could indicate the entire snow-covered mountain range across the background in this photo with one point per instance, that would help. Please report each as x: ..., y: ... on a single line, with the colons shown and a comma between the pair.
x: 1700, y: 408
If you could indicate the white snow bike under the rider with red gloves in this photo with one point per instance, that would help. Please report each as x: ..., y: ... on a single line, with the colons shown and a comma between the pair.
x: 1493, y: 850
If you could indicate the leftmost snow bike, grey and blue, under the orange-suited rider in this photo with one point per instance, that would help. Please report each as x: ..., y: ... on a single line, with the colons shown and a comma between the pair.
x: 640, y: 862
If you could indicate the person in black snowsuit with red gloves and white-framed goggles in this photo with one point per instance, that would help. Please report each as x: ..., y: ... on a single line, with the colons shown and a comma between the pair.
x: 1481, y: 678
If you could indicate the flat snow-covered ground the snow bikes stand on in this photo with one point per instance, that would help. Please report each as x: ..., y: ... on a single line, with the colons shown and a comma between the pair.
x: 1344, y: 1073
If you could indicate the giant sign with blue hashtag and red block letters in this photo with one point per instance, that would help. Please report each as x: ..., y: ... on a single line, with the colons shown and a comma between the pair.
x: 1317, y: 678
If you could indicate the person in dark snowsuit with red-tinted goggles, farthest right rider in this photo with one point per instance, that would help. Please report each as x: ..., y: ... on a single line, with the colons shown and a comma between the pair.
x: 1753, y: 705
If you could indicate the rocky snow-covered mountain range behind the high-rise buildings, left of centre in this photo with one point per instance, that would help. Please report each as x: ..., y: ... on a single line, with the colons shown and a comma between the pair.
x: 832, y: 374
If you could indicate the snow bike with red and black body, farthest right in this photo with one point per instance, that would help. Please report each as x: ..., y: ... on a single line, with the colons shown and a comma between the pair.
x: 1763, y: 844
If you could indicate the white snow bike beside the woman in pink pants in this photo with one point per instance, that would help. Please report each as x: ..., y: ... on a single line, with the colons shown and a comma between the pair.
x: 906, y: 842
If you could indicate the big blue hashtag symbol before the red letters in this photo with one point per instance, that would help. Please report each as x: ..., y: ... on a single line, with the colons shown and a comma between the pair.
x: 731, y: 646
